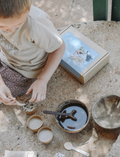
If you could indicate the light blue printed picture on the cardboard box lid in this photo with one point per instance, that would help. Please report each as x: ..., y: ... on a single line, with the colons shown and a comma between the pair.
x: 78, y: 54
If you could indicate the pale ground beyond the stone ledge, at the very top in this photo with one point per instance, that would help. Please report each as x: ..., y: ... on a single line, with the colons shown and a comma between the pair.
x: 64, y: 12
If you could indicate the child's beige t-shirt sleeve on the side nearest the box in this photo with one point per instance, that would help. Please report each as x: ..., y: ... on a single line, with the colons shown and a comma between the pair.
x: 45, y: 35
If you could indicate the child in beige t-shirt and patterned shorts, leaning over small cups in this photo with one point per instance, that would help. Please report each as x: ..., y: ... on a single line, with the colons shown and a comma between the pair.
x: 28, y: 42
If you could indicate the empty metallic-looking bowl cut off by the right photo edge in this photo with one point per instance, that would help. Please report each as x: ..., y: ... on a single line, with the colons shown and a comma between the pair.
x: 106, y: 112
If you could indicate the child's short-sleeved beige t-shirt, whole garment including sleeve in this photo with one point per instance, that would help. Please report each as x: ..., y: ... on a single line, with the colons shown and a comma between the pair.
x: 26, y: 50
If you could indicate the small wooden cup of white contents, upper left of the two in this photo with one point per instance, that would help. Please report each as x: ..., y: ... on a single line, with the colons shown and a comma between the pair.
x: 34, y: 123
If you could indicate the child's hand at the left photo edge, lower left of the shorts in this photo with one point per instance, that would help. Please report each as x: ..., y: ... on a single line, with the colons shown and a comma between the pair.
x: 6, y: 96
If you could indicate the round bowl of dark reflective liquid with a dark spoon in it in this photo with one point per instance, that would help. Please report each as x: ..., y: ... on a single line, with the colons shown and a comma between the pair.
x: 82, y: 115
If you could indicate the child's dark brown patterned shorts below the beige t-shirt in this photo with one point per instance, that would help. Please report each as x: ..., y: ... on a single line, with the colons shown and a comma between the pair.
x: 17, y: 83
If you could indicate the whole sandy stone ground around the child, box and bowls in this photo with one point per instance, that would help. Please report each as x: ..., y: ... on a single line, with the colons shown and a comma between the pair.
x: 14, y: 133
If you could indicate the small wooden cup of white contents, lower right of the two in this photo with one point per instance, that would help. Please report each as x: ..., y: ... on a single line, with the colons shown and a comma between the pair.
x: 45, y: 135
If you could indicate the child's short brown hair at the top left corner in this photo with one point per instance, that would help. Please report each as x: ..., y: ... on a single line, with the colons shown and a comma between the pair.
x: 12, y: 8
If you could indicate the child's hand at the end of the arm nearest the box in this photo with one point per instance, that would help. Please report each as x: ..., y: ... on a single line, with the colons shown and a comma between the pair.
x: 38, y: 89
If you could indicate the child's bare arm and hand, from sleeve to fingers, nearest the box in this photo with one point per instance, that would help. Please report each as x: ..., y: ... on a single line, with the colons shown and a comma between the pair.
x: 40, y: 85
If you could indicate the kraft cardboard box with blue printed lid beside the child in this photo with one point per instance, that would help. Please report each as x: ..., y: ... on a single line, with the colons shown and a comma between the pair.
x: 82, y: 58
